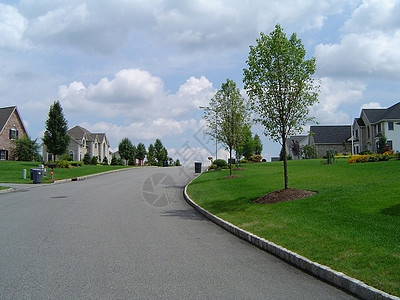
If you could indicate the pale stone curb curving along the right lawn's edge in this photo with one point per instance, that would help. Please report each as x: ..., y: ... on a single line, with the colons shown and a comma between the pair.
x: 349, y: 284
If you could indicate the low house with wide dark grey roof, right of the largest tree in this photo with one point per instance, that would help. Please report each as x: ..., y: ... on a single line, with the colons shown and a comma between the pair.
x: 335, y: 137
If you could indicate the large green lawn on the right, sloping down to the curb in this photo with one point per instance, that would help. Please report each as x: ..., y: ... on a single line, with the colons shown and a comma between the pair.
x: 352, y: 225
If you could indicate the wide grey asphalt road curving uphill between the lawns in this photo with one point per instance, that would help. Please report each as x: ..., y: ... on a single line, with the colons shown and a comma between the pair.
x: 131, y: 235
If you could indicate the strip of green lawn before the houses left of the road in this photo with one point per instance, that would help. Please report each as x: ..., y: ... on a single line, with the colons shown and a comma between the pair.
x: 11, y: 171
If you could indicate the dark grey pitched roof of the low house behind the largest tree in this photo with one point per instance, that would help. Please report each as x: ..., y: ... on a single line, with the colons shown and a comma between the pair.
x: 331, y: 134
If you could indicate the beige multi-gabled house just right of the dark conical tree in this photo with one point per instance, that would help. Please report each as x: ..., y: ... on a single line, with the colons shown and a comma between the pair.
x: 82, y: 141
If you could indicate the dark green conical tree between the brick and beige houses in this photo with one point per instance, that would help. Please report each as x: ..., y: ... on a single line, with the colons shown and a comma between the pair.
x: 55, y: 136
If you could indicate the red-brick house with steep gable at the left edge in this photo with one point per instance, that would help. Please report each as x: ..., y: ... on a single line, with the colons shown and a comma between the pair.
x: 11, y: 128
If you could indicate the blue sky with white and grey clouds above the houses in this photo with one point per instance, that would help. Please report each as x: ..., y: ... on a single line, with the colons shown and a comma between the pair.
x: 141, y: 69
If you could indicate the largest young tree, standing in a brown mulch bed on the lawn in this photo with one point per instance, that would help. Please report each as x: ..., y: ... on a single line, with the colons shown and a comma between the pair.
x: 280, y: 86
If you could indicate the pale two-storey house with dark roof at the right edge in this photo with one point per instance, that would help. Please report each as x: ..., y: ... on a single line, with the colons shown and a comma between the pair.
x: 375, y: 122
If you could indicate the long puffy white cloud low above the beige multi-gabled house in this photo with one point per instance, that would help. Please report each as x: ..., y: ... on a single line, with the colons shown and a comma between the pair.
x: 135, y: 94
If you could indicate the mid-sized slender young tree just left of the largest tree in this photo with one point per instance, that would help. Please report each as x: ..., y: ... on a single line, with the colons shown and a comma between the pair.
x: 227, y: 117
